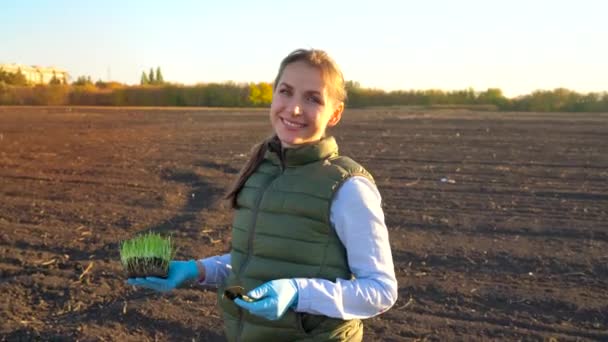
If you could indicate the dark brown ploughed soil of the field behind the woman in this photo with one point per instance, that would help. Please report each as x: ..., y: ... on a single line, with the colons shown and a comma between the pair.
x: 498, y: 221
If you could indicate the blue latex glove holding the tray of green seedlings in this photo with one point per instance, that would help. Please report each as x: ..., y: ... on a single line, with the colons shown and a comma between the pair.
x: 179, y: 272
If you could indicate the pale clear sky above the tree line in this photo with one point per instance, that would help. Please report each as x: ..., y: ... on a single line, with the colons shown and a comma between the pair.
x: 518, y: 46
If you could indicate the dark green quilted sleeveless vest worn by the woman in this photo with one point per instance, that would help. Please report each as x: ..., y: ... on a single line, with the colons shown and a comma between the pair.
x: 281, y: 229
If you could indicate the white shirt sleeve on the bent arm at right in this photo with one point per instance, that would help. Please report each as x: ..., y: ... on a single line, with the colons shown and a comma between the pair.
x: 357, y: 216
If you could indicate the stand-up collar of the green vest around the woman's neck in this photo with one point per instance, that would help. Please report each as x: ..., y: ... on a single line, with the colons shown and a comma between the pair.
x: 321, y: 150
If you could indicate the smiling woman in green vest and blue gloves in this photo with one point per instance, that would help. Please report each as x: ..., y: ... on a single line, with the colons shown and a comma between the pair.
x: 310, y: 253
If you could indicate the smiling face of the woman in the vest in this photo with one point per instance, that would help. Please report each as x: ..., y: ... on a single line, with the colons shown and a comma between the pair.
x: 301, y: 107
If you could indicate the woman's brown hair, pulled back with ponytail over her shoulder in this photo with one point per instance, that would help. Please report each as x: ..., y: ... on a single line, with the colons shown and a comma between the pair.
x: 334, y: 80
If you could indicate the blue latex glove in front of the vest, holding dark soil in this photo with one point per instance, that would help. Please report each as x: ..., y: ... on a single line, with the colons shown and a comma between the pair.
x: 272, y: 299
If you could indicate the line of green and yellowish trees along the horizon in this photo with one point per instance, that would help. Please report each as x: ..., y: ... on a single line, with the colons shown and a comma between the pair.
x: 154, y: 91
